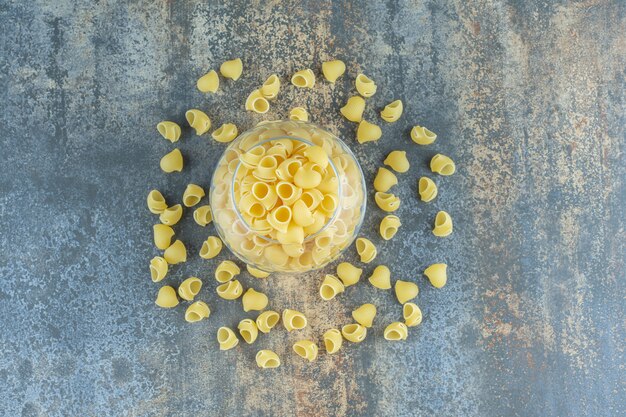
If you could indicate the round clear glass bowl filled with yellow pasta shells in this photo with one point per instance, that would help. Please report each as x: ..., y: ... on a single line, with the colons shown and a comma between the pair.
x: 287, y: 196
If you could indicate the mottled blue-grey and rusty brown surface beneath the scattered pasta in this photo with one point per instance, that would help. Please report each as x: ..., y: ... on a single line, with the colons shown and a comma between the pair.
x: 528, y: 97
